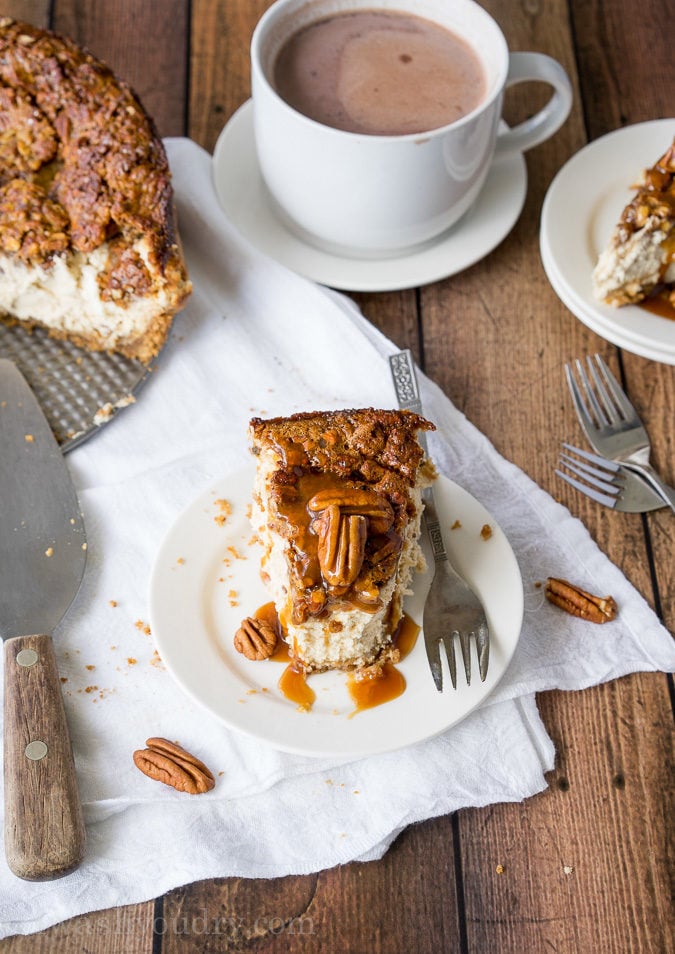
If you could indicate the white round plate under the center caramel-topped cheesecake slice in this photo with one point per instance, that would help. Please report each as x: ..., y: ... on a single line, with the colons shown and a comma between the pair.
x: 206, y: 580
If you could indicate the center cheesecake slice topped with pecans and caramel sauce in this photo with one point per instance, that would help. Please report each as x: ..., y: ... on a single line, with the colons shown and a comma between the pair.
x: 337, y: 505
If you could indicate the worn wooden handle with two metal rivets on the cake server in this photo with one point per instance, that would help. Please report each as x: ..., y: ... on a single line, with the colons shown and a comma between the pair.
x: 44, y: 829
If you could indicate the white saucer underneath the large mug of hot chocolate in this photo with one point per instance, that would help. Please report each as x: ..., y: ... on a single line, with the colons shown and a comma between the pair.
x: 244, y: 198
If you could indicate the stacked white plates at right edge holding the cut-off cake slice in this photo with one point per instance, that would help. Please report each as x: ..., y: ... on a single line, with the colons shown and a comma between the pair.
x: 582, y: 206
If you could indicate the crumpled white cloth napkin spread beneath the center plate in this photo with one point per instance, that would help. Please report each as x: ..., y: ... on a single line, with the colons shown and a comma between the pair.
x: 256, y: 339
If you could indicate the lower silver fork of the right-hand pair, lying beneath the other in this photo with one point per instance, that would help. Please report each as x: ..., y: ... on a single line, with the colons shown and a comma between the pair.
x: 606, y: 482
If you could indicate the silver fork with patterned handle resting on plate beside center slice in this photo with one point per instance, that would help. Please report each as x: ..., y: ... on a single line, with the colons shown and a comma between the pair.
x: 452, y: 609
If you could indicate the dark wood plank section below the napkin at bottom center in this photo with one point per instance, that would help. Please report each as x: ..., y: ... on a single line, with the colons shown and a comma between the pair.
x: 351, y: 909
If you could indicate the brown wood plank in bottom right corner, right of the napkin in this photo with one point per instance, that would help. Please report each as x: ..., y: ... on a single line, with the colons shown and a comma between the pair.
x: 580, y: 872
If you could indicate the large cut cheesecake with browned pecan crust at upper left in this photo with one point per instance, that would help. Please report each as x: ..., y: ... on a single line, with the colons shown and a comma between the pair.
x: 88, y: 243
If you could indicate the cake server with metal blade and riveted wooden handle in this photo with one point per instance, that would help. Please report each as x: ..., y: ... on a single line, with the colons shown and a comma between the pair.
x: 42, y: 560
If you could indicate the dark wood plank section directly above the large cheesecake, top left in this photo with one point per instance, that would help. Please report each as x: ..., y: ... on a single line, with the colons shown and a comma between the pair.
x: 146, y: 45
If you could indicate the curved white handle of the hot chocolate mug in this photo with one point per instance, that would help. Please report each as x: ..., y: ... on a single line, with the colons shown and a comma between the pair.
x: 525, y: 67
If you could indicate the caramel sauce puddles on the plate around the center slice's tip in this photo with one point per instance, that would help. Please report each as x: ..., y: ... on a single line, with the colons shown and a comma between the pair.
x: 367, y: 687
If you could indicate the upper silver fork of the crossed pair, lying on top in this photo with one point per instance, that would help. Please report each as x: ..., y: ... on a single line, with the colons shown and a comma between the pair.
x: 611, y: 423
